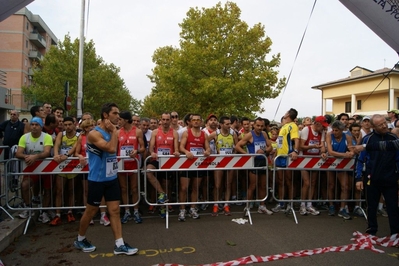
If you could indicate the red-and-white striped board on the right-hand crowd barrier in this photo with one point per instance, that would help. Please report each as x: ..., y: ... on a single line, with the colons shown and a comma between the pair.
x: 319, y: 163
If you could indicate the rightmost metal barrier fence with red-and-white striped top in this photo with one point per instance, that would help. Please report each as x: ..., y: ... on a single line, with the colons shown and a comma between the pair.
x: 329, y: 172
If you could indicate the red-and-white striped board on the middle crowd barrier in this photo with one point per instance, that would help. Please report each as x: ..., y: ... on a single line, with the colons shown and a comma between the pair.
x: 205, y: 162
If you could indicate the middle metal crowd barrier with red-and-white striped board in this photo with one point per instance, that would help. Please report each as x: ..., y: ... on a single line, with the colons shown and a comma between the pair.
x: 174, y: 166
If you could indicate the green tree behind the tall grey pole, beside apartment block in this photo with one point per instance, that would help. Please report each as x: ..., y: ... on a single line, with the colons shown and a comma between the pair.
x: 101, y: 81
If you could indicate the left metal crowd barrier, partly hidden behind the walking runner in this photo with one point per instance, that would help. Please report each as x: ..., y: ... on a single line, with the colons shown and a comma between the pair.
x: 48, y: 168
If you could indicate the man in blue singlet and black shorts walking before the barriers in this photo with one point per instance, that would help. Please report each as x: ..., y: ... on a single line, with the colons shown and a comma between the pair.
x: 102, y: 142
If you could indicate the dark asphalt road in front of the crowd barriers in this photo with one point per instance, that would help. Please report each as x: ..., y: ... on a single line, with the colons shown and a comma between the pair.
x: 204, y: 241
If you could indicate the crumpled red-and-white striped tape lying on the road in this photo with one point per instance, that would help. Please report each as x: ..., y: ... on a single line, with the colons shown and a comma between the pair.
x: 363, y: 241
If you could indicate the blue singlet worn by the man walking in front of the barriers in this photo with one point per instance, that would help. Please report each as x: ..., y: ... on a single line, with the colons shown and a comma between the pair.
x: 103, y: 166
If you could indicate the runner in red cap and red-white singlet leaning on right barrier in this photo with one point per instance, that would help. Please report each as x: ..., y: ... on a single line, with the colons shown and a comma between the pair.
x: 312, y: 144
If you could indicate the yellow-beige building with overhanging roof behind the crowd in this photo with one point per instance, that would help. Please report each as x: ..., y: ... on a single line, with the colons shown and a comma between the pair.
x: 364, y: 92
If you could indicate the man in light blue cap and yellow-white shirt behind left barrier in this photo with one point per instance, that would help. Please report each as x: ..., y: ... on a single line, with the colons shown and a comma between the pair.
x: 32, y: 146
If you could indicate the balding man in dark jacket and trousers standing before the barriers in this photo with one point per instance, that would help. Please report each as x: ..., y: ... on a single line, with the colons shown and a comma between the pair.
x: 380, y: 176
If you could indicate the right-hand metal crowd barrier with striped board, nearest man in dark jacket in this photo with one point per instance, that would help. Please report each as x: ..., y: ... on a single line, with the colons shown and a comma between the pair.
x: 332, y: 165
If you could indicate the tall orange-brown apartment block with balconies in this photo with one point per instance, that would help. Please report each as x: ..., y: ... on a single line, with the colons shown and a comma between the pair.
x: 24, y: 39
